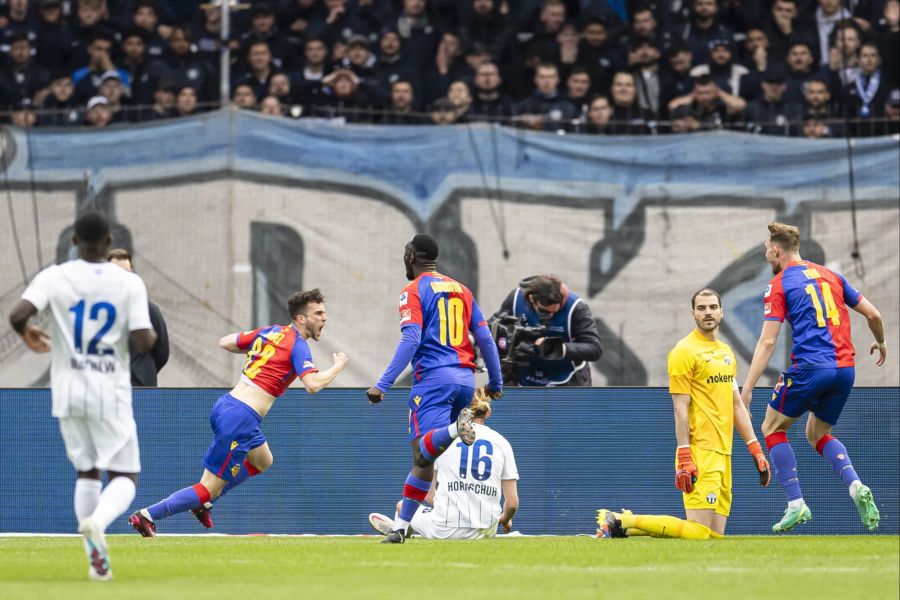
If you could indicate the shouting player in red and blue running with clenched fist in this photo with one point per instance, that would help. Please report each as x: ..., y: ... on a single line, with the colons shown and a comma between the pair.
x: 276, y: 356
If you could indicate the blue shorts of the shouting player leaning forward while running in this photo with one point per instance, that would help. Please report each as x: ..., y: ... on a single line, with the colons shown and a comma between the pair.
x: 236, y: 427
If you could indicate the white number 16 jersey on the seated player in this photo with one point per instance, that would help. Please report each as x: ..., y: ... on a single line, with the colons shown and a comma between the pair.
x: 468, y: 490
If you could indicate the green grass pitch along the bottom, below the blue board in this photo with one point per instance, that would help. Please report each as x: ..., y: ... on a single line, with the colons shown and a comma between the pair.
x: 271, y: 568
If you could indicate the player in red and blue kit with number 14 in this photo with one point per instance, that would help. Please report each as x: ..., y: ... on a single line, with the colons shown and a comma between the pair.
x: 814, y: 300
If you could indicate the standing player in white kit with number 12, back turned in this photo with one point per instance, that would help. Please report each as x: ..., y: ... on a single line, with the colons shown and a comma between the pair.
x: 96, y: 307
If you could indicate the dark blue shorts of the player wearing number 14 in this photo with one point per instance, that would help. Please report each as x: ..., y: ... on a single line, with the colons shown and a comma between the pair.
x: 822, y: 392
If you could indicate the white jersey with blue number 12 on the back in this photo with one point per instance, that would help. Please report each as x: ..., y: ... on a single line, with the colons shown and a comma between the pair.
x: 94, y: 307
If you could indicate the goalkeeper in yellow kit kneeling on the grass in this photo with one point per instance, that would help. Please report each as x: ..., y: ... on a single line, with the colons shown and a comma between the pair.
x: 708, y: 408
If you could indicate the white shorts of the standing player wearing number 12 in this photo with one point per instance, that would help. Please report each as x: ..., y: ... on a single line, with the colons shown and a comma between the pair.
x: 105, y: 445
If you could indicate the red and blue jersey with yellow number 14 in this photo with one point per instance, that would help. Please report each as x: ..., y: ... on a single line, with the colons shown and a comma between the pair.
x: 814, y: 300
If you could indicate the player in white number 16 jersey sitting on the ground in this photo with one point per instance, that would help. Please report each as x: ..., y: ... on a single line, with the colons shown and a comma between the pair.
x: 468, y: 484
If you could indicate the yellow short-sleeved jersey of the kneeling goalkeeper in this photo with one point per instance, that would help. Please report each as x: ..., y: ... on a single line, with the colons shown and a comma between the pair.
x: 706, y: 372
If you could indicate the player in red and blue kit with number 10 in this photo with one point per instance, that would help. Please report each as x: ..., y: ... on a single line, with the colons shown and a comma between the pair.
x: 436, y: 316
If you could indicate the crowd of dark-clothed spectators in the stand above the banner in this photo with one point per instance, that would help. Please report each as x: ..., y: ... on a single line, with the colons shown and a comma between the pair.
x: 784, y: 67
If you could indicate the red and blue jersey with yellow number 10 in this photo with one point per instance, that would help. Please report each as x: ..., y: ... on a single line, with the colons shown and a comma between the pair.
x: 445, y: 311
